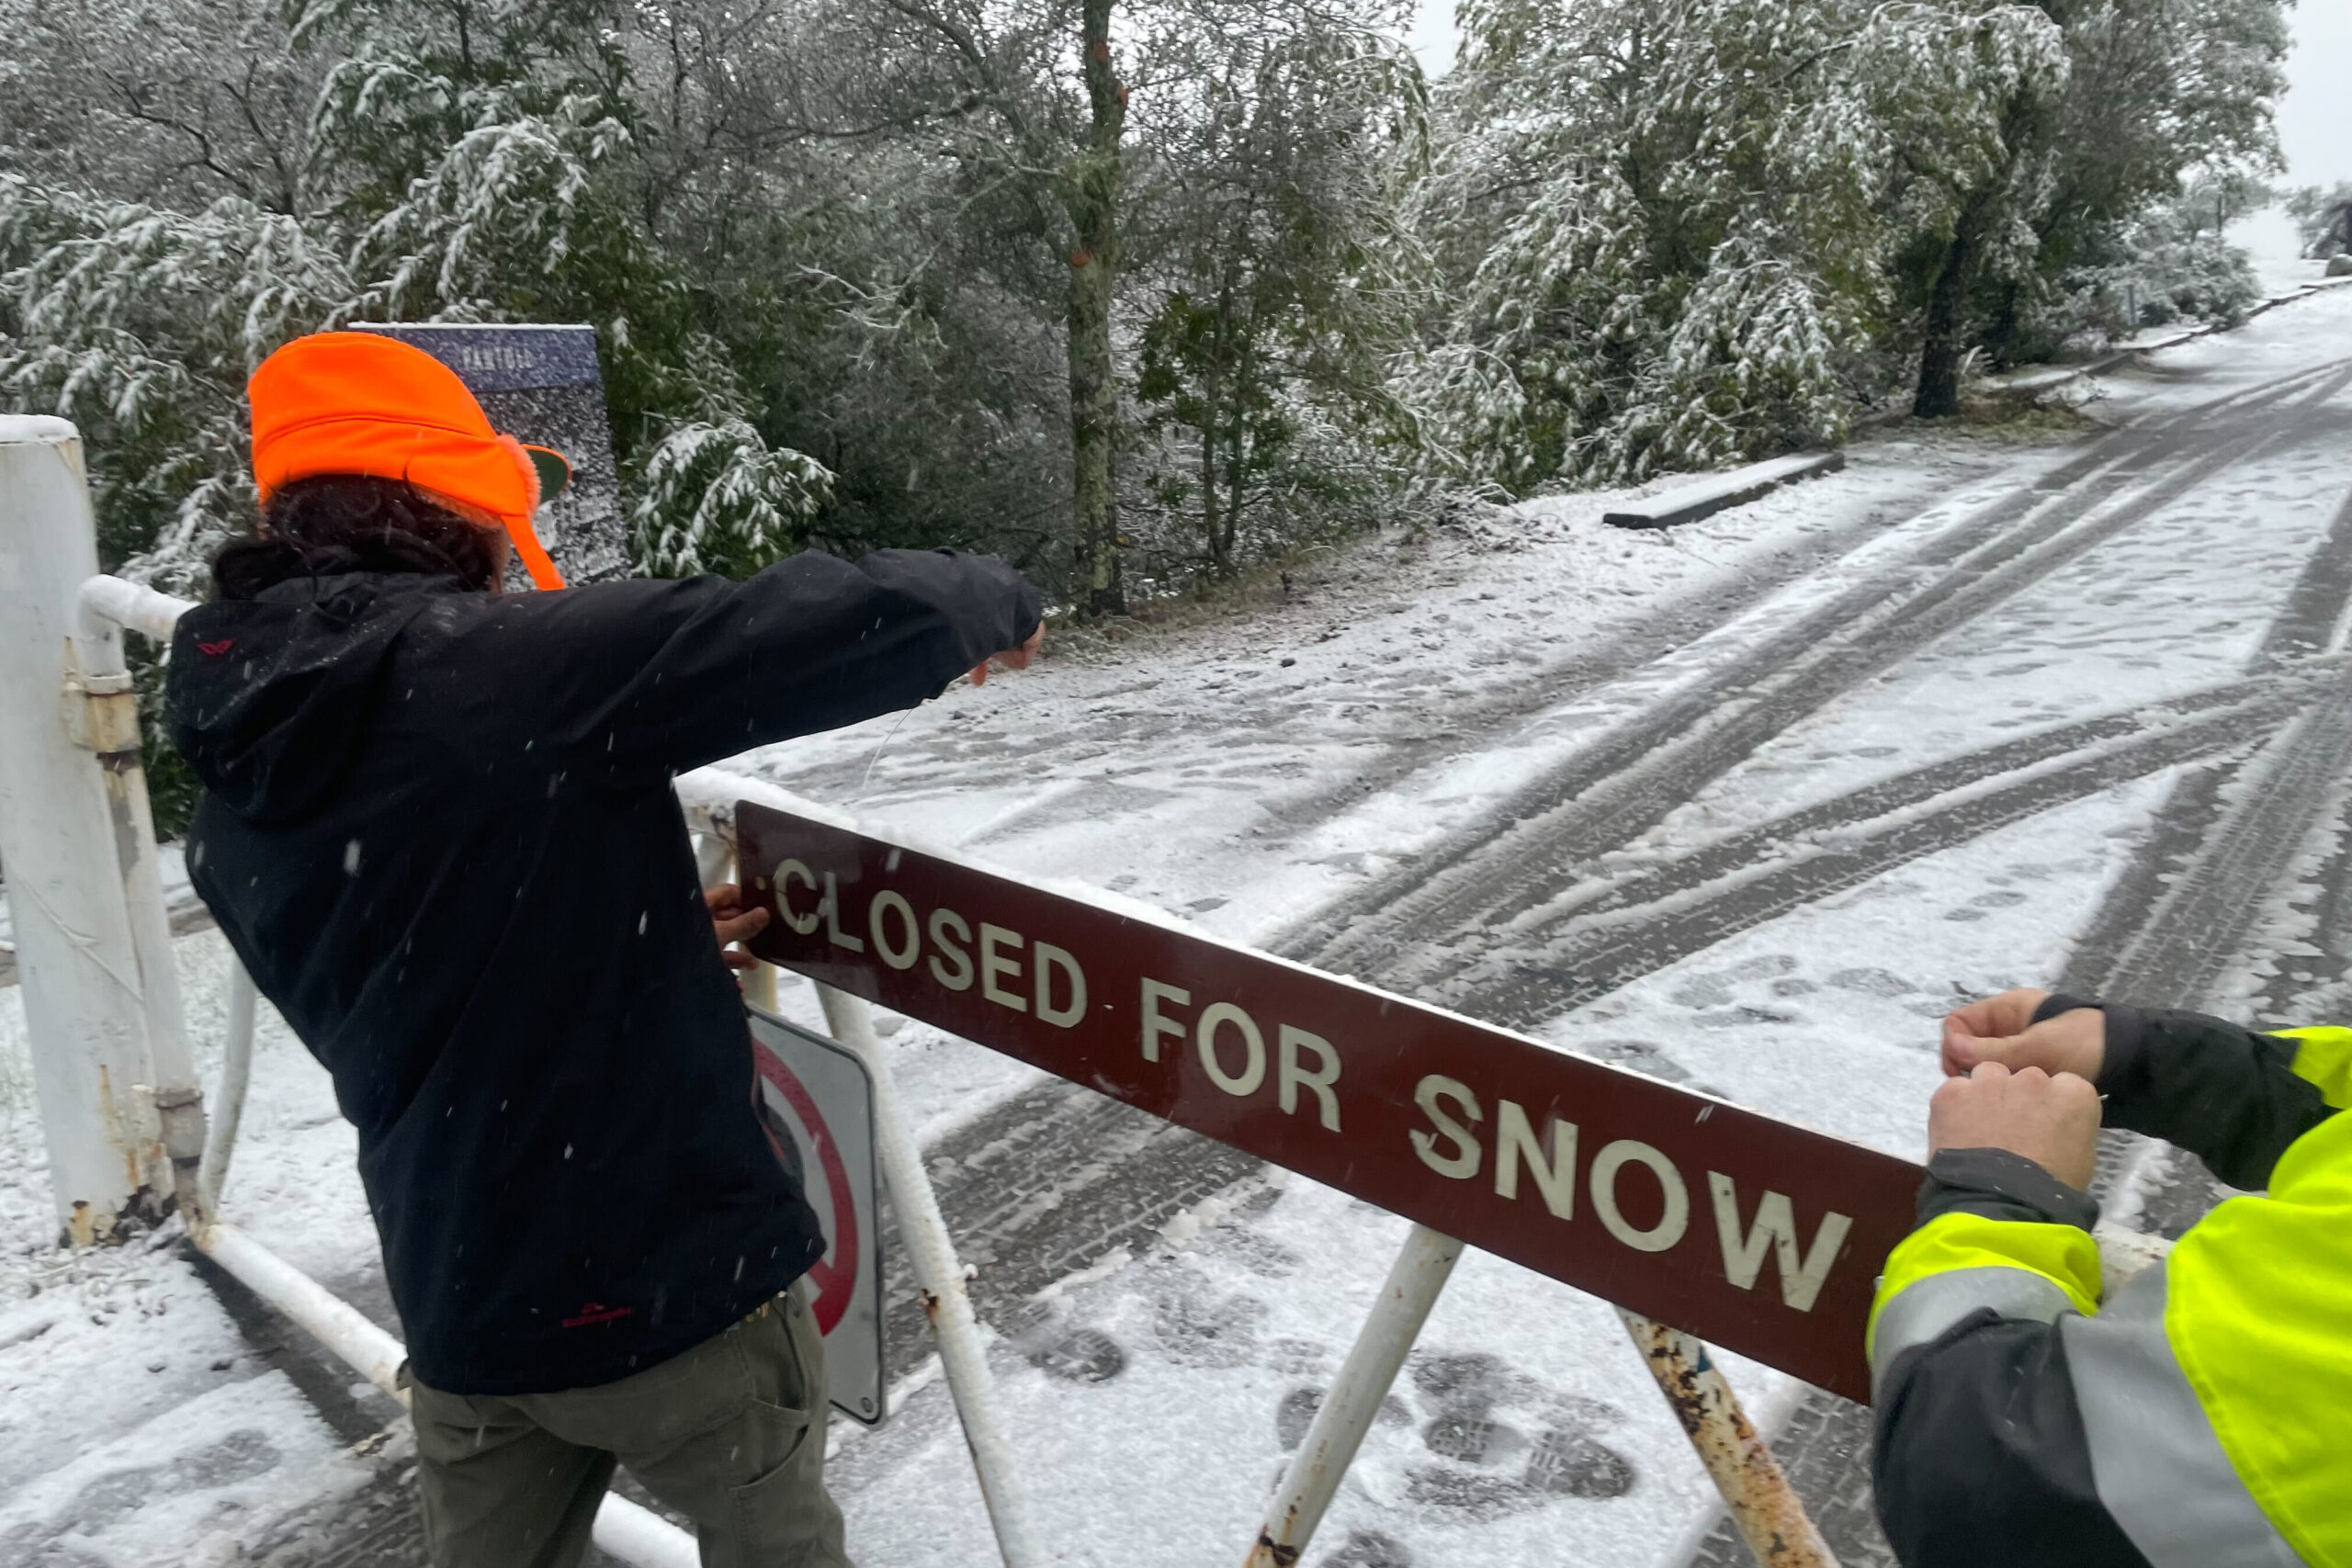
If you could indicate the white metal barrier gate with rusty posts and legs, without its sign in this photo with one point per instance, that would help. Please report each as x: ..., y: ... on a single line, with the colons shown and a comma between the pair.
x: 126, y: 1118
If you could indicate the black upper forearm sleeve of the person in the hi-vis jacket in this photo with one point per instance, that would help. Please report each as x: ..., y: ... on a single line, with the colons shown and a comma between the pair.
x: 2224, y: 1092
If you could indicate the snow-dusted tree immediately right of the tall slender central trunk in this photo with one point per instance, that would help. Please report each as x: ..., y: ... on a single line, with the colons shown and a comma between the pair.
x: 1274, y: 246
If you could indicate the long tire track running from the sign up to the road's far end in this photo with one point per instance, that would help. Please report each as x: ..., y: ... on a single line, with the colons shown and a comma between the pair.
x: 1615, y: 791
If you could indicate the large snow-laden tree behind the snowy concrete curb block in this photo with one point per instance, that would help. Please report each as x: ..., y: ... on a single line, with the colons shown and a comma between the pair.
x: 1673, y: 229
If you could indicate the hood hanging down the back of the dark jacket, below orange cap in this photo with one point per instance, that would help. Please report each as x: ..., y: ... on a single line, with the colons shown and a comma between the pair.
x: 269, y: 699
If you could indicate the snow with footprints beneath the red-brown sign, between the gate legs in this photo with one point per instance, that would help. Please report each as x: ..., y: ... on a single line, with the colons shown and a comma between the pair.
x: 1525, y: 1430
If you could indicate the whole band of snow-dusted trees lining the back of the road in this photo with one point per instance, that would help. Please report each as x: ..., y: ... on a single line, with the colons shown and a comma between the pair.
x: 1102, y: 283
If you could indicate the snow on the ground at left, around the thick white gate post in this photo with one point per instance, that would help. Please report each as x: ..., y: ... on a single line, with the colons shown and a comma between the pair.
x: 138, y: 1428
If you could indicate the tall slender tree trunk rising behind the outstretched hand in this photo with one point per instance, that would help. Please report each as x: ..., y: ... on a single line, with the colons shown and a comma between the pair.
x: 1095, y: 264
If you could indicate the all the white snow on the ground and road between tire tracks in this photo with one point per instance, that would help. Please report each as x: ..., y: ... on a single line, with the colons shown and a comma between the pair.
x: 1243, y: 775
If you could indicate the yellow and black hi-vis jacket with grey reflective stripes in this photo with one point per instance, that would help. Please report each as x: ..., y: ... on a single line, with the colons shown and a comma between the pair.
x: 2200, y: 1416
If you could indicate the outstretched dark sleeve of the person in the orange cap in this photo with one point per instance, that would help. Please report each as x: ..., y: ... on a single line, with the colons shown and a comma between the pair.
x: 622, y: 681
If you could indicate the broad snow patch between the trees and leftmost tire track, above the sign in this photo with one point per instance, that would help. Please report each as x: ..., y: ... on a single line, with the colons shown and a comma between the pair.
x: 1236, y: 784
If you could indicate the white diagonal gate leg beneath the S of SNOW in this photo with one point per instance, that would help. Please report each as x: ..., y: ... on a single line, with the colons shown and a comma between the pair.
x: 1349, y: 1409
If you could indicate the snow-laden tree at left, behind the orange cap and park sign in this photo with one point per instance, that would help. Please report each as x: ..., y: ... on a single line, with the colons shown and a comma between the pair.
x: 457, y: 163
